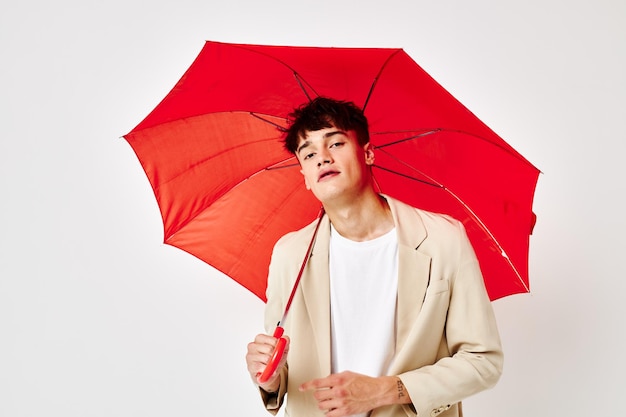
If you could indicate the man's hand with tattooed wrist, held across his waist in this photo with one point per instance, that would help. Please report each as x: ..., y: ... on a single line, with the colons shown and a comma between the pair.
x: 348, y: 393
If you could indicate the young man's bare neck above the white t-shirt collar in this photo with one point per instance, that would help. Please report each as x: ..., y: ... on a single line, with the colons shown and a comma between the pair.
x: 365, y: 219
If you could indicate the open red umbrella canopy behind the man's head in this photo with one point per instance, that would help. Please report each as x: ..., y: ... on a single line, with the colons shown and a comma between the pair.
x: 227, y: 190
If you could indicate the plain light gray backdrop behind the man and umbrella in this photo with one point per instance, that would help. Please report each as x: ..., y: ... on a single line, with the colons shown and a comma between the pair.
x: 99, y: 318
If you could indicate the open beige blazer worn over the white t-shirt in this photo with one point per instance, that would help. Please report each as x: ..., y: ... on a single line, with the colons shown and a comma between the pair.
x: 447, y: 342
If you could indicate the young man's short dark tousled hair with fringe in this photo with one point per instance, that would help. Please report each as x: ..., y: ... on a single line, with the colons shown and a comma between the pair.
x: 324, y: 112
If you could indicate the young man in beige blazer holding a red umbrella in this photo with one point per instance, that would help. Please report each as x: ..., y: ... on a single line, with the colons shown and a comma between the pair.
x: 391, y: 317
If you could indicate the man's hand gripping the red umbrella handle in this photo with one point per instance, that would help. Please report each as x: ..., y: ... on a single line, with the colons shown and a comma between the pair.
x: 259, y: 354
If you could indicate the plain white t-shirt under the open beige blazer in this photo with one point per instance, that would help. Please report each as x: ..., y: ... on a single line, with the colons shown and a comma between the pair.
x: 363, y: 292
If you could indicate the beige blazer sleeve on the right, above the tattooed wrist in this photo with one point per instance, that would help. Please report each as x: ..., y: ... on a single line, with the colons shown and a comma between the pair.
x: 470, y: 356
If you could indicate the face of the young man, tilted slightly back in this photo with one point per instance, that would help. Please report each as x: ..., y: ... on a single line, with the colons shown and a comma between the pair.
x: 333, y: 163
